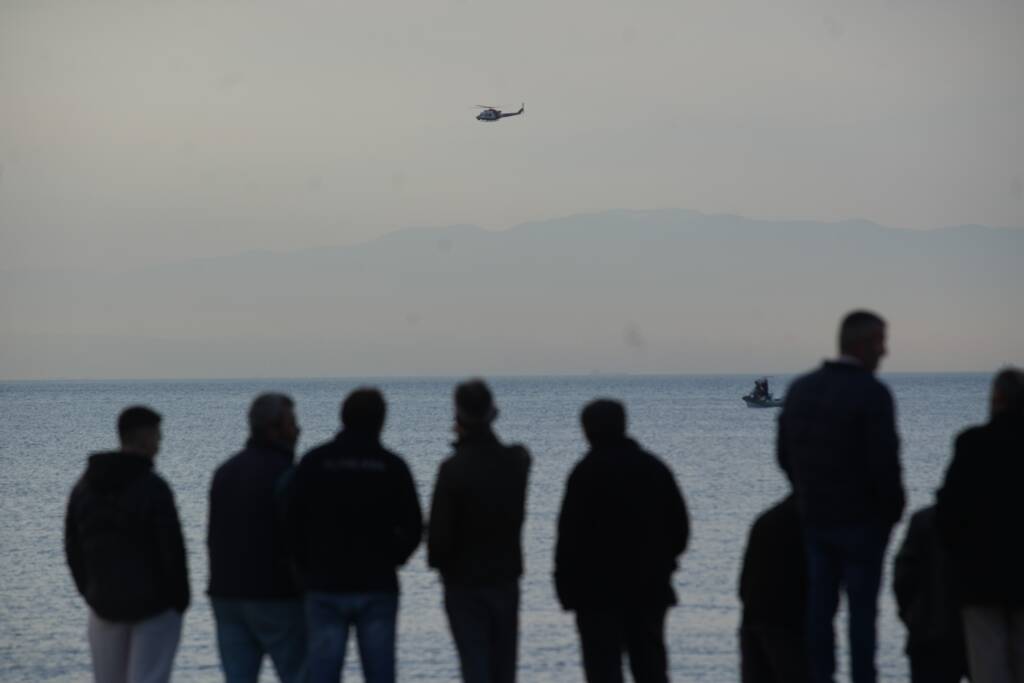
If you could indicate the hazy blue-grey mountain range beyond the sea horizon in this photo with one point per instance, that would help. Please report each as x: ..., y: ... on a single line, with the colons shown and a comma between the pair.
x: 667, y: 291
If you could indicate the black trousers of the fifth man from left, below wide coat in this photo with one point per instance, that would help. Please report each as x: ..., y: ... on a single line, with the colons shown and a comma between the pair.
x: 607, y: 634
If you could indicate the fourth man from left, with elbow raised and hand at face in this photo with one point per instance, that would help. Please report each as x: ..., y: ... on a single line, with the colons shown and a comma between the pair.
x: 476, y: 538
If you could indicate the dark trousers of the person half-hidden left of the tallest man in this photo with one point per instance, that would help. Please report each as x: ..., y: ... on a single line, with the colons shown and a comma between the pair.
x: 773, y: 655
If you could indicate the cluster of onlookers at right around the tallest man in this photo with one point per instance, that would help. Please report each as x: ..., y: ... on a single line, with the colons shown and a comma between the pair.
x: 959, y: 575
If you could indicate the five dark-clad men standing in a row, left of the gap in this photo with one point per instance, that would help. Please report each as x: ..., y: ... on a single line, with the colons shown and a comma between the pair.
x: 303, y: 554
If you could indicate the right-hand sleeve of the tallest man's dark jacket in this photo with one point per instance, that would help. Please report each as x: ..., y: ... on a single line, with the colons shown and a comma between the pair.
x: 883, y: 455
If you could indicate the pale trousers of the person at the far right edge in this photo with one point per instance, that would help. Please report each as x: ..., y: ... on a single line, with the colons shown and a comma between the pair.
x: 995, y: 645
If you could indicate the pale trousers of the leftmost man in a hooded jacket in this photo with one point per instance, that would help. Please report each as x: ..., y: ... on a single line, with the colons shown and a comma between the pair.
x: 135, y: 652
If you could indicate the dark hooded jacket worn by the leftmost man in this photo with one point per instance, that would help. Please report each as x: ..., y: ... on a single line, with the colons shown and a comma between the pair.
x: 123, y: 540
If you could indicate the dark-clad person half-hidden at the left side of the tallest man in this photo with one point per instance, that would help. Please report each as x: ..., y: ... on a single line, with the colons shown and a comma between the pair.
x: 774, y: 590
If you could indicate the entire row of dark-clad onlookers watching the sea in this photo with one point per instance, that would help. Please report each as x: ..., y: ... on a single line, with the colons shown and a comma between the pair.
x: 302, y: 554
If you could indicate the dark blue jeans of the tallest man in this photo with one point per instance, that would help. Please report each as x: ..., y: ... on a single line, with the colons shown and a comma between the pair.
x: 850, y: 557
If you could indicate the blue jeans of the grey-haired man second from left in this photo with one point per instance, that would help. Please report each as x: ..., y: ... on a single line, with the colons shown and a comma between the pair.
x: 249, y: 629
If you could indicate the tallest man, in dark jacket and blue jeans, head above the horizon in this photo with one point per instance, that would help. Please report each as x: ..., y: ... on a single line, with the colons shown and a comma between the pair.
x: 838, y: 443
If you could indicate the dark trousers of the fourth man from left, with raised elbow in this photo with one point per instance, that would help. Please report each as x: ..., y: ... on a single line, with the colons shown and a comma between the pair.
x: 485, y: 625
